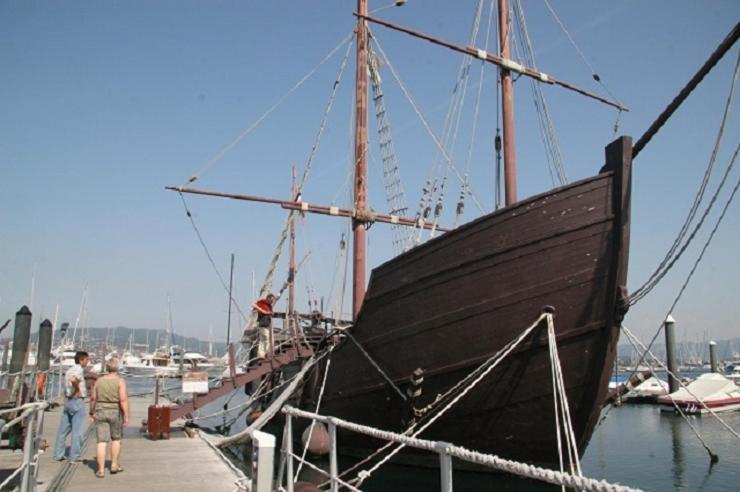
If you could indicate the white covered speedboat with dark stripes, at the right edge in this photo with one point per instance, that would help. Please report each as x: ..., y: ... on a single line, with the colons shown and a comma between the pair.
x: 714, y: 390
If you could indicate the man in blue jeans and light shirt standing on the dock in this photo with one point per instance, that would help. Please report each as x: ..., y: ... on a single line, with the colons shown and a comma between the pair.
x: 73, y: 415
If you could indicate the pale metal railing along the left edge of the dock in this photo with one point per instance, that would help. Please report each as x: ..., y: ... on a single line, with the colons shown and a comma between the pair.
x: 31, y: 417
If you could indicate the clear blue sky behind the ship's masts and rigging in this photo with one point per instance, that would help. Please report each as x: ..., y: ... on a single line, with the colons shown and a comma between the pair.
x: 102, y: 104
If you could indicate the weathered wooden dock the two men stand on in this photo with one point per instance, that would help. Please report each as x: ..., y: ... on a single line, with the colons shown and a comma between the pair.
x: 180, y: 463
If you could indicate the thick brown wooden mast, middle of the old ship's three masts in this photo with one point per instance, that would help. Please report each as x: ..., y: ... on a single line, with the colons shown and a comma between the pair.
x: 358, y: 226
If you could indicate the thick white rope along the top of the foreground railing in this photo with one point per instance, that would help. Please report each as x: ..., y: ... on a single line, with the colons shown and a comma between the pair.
x: 492, y: 461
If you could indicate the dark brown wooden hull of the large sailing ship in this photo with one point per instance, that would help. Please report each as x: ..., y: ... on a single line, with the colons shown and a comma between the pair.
x: 448, y: 305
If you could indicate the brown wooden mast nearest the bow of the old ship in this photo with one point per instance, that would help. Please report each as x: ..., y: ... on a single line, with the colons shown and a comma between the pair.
x: 507, y: 105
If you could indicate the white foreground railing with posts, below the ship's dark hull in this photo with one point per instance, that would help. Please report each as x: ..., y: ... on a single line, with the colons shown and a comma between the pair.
x: 445, y: 450
